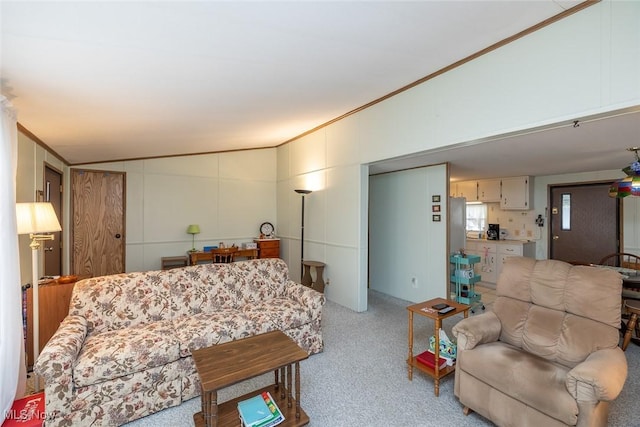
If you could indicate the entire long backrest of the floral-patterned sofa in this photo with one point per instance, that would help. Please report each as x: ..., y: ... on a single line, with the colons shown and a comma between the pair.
x: 122, y: 300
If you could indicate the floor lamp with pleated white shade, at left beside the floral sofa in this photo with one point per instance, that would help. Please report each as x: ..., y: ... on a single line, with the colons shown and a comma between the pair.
x: 38, y: 220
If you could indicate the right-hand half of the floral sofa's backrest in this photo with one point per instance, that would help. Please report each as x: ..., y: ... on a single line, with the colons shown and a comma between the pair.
x: 209, y: 287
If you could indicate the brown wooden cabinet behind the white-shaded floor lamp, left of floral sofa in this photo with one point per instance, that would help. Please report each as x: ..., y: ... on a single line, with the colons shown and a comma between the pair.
x: 54, y: 299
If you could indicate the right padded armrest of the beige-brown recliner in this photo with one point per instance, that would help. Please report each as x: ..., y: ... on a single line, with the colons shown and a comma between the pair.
x: 600, y: 377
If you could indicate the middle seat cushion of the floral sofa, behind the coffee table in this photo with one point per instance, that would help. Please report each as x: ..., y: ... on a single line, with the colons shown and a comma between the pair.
x: 204, y: 330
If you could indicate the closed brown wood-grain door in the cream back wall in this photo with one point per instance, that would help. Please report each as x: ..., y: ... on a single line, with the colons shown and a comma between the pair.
x: 98, y: 235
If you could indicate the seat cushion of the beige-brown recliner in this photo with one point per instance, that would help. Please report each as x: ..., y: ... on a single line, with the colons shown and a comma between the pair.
x: 530, y: 379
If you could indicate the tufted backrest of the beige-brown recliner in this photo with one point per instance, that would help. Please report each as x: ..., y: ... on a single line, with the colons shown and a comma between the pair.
x: 556, y: 310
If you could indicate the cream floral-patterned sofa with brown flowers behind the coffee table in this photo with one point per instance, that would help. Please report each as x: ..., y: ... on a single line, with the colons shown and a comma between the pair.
x: 124, y: 350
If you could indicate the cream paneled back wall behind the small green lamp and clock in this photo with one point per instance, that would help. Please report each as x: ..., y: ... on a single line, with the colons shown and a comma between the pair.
x: 228, y: 194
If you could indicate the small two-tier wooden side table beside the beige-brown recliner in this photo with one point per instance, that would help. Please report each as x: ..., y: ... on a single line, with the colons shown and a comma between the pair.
x: 425, y: 309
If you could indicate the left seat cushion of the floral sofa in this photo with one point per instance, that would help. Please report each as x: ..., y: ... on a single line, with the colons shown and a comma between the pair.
x: 114, y: 354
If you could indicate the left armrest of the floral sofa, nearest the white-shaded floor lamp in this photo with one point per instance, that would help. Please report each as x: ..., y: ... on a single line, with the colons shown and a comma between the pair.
x: 56, y: 360
